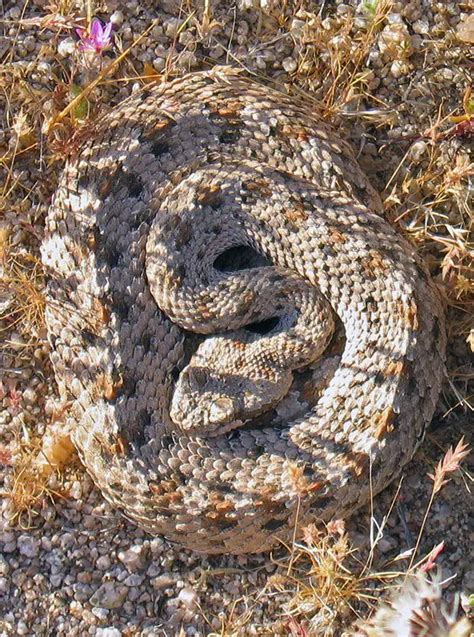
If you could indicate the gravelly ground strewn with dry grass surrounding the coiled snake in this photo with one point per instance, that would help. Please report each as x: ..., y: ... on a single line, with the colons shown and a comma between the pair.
x: 72, y: 566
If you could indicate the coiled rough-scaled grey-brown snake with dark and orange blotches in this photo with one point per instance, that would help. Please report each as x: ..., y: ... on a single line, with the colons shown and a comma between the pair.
x: 207, y: 244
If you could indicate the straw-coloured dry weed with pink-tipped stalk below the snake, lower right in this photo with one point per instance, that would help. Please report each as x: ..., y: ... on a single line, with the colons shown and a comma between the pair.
x: 332, y: 581
